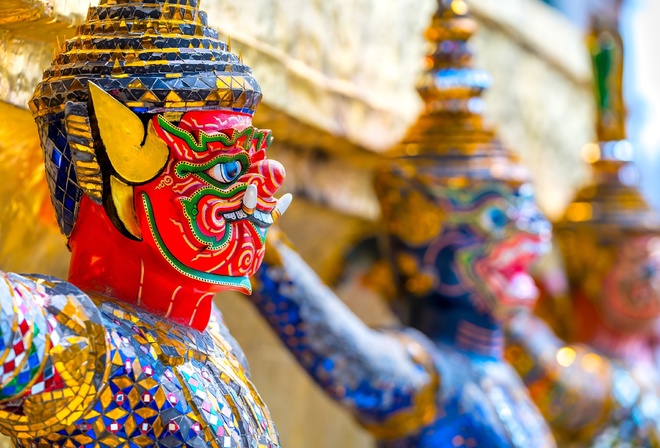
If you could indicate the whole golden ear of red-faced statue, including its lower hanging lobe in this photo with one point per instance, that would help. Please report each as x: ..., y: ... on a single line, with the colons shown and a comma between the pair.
x: 135, y: 157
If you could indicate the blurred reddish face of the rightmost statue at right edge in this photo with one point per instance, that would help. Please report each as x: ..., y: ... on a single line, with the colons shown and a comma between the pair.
x: 631, y: 292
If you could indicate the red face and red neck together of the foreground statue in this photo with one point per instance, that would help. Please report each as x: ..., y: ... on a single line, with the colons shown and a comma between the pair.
x: 199, y: 226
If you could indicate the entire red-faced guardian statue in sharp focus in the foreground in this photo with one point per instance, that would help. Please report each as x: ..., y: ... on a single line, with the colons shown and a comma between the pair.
x: 162, y: 188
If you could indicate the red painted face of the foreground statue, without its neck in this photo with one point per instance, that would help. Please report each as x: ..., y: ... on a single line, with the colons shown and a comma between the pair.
x: 195, y: 212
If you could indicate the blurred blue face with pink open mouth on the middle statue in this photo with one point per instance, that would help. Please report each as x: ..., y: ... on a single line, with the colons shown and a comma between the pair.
x: 470, y: 243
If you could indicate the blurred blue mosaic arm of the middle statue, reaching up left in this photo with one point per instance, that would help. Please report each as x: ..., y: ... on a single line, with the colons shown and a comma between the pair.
x: 386, y: 379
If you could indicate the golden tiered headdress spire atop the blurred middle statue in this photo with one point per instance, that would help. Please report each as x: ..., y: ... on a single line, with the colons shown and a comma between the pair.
x: 451, y: 128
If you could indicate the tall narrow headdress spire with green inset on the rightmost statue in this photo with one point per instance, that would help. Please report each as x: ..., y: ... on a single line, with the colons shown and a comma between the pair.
x: 612, y: 201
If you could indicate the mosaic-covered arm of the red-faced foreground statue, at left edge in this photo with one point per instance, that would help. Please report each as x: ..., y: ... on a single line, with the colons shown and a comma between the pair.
x: 53, y: 353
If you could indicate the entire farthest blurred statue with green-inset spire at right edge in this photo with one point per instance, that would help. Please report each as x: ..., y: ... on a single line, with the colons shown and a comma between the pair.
x: 603, y: 391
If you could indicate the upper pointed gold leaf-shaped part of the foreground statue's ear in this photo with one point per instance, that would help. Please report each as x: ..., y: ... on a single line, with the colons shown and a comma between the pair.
x: 122, y: 133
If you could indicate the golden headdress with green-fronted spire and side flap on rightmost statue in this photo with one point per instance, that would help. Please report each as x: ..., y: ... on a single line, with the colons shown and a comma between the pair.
x: 611, y: 209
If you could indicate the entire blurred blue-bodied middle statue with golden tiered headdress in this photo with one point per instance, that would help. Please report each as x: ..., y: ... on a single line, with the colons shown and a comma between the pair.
x: 463, y: 228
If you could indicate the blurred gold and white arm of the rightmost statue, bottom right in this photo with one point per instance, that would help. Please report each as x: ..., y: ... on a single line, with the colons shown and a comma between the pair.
x: 570, y: 384
